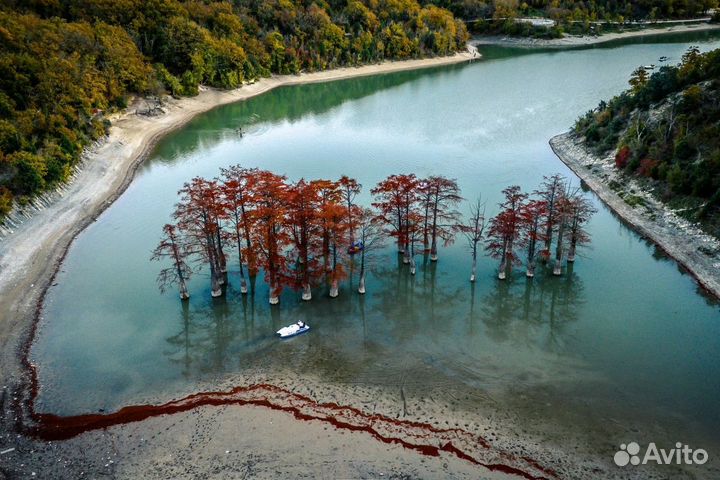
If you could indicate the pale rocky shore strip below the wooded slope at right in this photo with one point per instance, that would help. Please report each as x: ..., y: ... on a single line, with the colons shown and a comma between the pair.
x: 653, y: 220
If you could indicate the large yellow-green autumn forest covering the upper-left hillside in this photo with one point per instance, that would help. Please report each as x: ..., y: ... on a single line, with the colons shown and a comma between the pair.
x: 65, y: 64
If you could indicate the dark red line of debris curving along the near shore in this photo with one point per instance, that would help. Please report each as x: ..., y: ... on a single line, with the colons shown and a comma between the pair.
x: 421, y: 437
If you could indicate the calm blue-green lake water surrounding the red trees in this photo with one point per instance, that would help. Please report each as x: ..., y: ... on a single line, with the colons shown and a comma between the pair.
x: 624, y: 336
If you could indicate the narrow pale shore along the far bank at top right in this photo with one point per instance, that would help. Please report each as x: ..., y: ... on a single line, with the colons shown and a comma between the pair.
x: 586, y: 40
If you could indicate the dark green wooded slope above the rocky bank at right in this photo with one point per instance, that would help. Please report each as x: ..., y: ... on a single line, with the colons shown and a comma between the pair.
x: 666, y: 130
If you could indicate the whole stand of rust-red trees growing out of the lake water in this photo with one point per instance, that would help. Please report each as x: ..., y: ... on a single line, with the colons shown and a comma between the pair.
x: 305, y: 234
